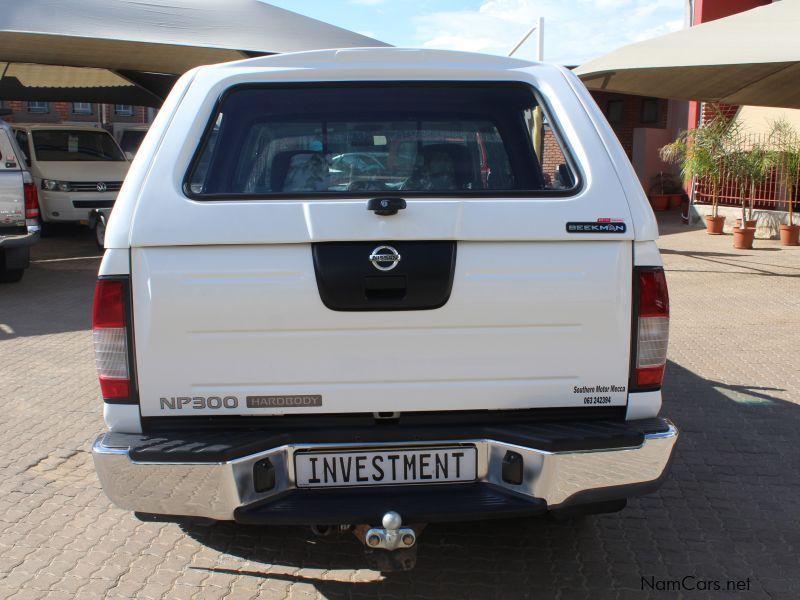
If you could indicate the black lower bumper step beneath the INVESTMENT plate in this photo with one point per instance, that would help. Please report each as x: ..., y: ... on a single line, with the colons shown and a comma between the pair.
x: 415, y: 504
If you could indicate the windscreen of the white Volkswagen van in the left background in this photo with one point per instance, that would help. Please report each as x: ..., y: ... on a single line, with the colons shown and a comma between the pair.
x: 66, y: 145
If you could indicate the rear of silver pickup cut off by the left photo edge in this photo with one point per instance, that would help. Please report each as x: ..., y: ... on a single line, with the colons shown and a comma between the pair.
x: 19, y: 209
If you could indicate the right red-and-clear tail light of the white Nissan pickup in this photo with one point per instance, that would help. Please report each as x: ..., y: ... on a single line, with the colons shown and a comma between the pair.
x: 651, y: 320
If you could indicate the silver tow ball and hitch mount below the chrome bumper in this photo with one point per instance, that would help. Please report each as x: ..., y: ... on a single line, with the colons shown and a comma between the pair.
x: 391, y: 547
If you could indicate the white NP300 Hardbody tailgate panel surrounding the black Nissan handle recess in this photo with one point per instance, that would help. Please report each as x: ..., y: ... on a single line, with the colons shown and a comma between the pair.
x: 527, y: 324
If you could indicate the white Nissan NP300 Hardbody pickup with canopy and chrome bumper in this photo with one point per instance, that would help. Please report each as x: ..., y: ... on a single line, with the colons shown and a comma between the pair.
x: 371, y: 289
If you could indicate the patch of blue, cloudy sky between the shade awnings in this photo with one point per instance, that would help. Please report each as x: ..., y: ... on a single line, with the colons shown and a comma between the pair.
x: 575, y: 30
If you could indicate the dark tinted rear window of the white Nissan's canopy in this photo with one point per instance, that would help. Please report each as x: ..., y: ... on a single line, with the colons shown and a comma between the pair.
x: 371, y: 139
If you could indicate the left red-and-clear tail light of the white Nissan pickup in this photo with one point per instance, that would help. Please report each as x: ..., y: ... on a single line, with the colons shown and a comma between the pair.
x: 109, y: 329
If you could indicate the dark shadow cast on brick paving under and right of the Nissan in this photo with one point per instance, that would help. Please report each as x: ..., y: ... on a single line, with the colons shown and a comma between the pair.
x: 726, y: 512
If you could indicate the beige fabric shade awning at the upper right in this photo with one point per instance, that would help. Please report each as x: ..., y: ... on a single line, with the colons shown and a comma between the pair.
x: 751, y: 58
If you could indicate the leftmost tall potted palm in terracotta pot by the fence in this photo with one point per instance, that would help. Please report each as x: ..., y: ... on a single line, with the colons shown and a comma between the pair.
x: 699, y: 152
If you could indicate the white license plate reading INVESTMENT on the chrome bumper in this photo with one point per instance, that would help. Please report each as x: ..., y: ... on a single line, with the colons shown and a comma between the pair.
x: 385, y: 467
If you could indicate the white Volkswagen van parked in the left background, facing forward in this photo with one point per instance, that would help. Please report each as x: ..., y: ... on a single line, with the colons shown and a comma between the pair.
x: 78, y: 169
